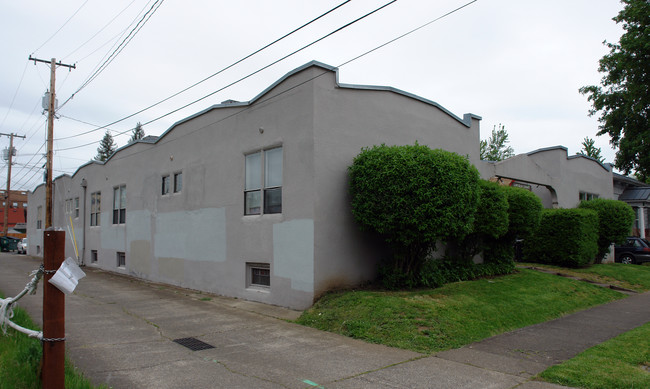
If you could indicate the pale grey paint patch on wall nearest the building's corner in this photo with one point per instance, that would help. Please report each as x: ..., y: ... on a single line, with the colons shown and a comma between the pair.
x: 293, y: 253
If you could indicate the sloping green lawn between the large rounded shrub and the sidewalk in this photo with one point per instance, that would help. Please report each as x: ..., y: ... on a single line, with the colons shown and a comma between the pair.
x: 456, y: 314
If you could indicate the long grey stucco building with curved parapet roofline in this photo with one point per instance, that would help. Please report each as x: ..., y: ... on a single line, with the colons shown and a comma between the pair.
x: 250, y: 199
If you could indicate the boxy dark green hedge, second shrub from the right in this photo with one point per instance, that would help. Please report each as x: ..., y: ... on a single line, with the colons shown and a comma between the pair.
x: 565, y: 237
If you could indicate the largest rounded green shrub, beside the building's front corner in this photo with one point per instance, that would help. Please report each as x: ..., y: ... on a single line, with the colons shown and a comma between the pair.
x: 413, y: 196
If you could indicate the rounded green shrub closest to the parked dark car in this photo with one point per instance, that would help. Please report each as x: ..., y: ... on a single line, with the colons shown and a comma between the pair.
x: 615, y: 220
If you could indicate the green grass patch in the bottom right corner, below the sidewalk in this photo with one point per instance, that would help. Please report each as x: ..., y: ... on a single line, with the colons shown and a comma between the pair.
x: 622, y: 362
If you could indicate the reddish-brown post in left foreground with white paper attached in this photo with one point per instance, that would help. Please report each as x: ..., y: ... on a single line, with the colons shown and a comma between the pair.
x: 52, y: 374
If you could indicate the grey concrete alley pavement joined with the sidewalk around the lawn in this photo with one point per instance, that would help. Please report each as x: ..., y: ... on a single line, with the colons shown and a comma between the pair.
x: 120, y: 331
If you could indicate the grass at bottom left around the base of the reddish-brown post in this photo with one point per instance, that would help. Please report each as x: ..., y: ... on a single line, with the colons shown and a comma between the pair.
x: 20, y: 357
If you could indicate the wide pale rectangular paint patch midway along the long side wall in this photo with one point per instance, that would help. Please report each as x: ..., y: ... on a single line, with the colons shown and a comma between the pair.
x: 198, y: 235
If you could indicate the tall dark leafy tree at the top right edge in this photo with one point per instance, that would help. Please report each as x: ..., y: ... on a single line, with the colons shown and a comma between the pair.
x: 623, y: 99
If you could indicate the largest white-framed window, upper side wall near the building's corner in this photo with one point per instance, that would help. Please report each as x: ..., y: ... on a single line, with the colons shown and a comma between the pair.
x: 263, y: 186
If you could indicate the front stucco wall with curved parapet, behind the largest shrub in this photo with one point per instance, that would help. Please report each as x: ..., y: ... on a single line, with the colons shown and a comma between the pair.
x: 346, y: 120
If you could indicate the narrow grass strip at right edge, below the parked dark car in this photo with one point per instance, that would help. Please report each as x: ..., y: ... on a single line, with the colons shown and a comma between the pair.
x: 633, y: 277
